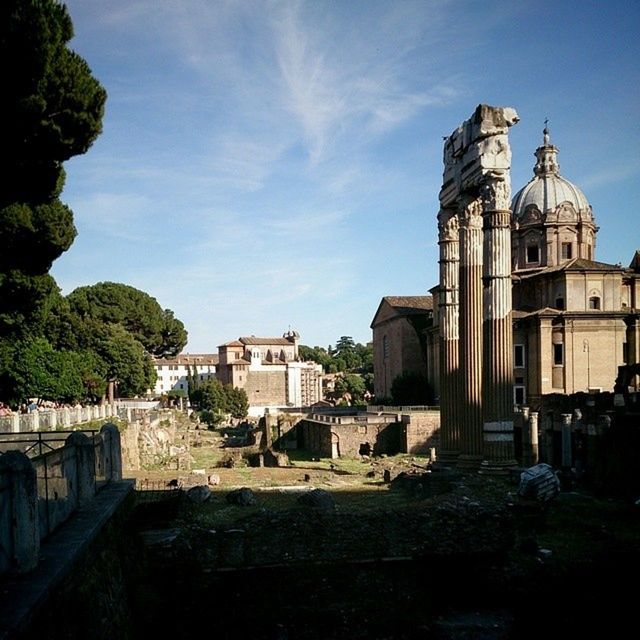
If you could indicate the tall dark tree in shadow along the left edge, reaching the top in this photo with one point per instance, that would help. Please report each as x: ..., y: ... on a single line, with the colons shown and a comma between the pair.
x: 51, y: 110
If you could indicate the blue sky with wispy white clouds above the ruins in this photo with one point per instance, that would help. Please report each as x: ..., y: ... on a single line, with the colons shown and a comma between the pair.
x: 267, y: 165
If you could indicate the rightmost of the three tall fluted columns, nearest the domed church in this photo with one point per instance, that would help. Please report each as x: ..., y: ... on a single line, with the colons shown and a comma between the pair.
x: 497, y: 368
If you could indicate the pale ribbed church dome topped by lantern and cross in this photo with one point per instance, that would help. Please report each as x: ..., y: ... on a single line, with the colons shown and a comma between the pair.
x: 547, y: 190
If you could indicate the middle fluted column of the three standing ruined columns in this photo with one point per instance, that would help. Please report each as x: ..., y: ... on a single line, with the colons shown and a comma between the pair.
x: 471, y: 332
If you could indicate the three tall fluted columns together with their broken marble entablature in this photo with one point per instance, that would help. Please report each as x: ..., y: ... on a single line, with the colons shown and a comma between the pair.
x: 474, y: 225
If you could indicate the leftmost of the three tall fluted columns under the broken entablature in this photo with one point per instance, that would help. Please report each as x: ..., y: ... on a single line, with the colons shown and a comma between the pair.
x: 448, y: 239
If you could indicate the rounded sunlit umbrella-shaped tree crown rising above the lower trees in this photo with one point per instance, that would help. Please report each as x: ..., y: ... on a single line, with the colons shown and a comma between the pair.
x: 161, y: 334
